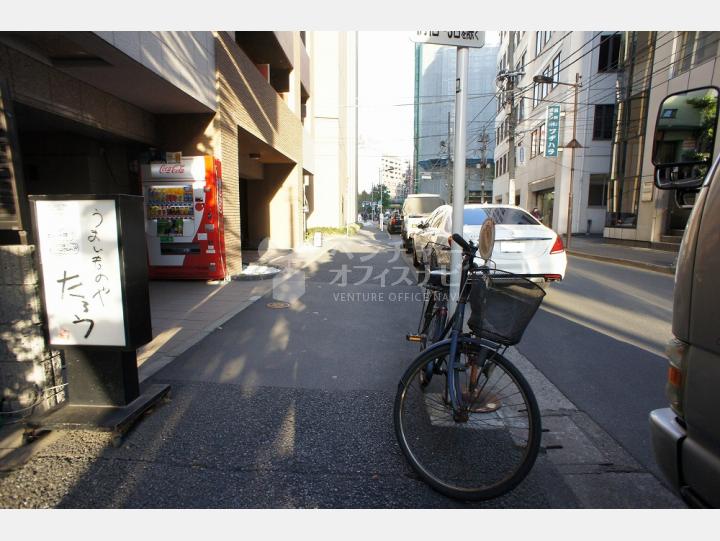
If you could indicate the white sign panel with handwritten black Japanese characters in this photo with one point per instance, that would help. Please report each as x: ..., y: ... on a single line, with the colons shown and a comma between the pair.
x: 78, y: 246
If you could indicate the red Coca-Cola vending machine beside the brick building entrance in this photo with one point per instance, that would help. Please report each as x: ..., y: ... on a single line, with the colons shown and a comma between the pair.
x: 183, y: 219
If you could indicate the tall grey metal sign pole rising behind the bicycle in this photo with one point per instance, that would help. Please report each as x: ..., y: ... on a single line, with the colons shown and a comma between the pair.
x: 458, y: 192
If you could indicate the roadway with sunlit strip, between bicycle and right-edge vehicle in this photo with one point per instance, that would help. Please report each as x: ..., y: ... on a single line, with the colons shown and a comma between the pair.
x: 599, y: 337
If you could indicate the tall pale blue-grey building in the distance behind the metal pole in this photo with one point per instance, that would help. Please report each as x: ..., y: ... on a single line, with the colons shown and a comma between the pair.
x: 434, y: 120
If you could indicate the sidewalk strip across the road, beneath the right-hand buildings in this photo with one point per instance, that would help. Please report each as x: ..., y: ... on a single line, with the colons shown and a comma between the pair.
x: 600, y: 249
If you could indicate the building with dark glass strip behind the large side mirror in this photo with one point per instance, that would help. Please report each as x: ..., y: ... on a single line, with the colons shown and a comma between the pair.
x: 653, y: 66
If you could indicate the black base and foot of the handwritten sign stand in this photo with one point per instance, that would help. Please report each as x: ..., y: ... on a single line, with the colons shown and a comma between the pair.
x: 103, y: 394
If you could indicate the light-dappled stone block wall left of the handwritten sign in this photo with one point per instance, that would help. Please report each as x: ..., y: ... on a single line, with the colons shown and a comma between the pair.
x: 27, y: 366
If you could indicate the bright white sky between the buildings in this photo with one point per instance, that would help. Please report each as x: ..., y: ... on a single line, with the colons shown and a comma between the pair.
x: 386, y: 76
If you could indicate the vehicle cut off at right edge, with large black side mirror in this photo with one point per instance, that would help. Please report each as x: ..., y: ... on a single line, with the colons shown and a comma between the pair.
x: 686, y: 436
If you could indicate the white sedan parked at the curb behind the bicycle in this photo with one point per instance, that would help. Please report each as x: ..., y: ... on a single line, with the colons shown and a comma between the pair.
x: 523, y: 245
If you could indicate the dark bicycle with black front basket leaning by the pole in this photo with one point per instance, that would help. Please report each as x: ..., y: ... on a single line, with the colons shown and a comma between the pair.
x: 465, y: 418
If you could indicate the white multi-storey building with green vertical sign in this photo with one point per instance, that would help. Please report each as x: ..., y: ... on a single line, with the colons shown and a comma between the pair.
x: 542, y: 178
